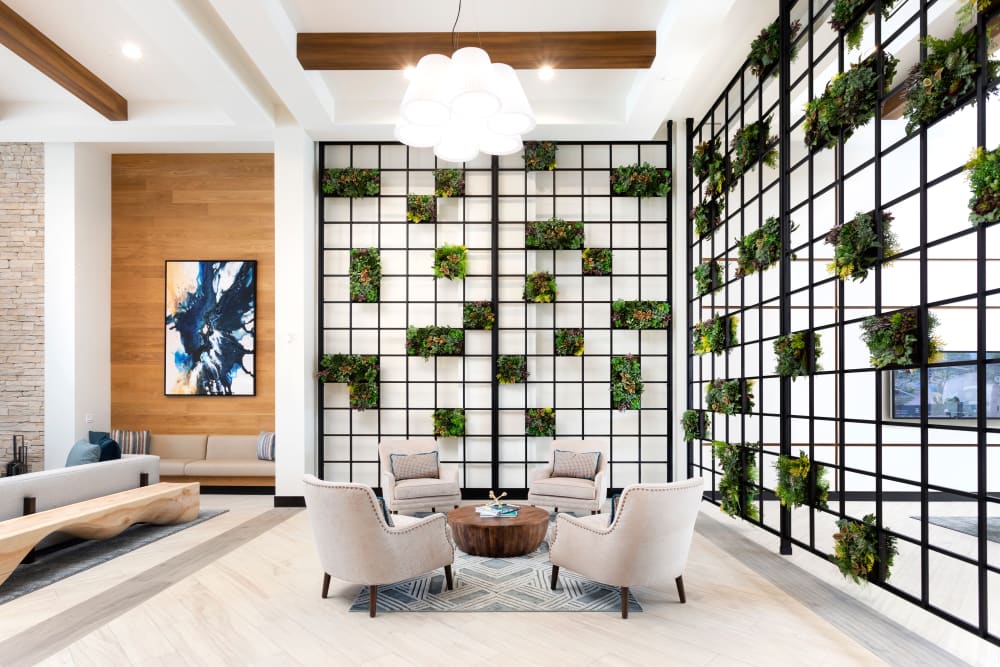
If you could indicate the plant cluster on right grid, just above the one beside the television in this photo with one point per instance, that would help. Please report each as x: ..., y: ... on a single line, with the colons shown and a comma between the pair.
x: 856, y: 245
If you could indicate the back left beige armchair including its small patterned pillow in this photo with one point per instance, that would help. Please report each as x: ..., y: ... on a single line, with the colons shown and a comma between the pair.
x: 412, y: 478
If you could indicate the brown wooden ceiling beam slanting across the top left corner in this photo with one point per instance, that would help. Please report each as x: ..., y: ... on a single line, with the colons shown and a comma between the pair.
x: 48, y: 58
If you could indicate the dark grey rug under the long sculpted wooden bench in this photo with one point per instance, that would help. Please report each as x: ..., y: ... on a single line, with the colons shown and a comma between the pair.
x: 58, y: 564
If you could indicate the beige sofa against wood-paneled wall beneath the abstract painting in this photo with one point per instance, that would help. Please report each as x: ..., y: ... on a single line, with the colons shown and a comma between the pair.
x: 213, y: 460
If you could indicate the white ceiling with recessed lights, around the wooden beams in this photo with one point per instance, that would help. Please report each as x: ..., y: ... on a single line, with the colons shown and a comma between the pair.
x: 224, y: 72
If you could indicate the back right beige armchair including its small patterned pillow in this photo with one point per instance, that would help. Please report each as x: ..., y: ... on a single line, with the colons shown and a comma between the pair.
x: 564, y: 483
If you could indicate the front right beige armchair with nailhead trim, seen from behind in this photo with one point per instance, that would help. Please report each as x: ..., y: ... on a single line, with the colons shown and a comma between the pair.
x: 647, y: 541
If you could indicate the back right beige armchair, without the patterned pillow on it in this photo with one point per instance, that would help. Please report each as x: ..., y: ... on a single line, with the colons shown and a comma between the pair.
x: 571, y: 493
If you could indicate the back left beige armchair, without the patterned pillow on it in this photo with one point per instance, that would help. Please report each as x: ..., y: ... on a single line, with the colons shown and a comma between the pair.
x: 405, y: 495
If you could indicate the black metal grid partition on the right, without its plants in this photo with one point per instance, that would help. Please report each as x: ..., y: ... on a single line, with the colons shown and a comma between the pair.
x: 789, y: 417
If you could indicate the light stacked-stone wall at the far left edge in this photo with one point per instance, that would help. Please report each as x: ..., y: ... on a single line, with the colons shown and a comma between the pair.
x: 22, y: 276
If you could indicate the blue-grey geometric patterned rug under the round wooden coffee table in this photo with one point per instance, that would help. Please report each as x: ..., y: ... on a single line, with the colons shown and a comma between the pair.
x: 498, y: 584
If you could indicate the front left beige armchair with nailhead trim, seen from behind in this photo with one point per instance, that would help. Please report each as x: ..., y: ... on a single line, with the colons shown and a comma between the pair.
x: 356, y: 544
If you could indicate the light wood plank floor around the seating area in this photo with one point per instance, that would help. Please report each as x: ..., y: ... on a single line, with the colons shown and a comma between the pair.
x: 244, y: 588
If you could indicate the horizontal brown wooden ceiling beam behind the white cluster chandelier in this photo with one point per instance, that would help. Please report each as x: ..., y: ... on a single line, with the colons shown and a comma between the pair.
x: 632, y: 49
